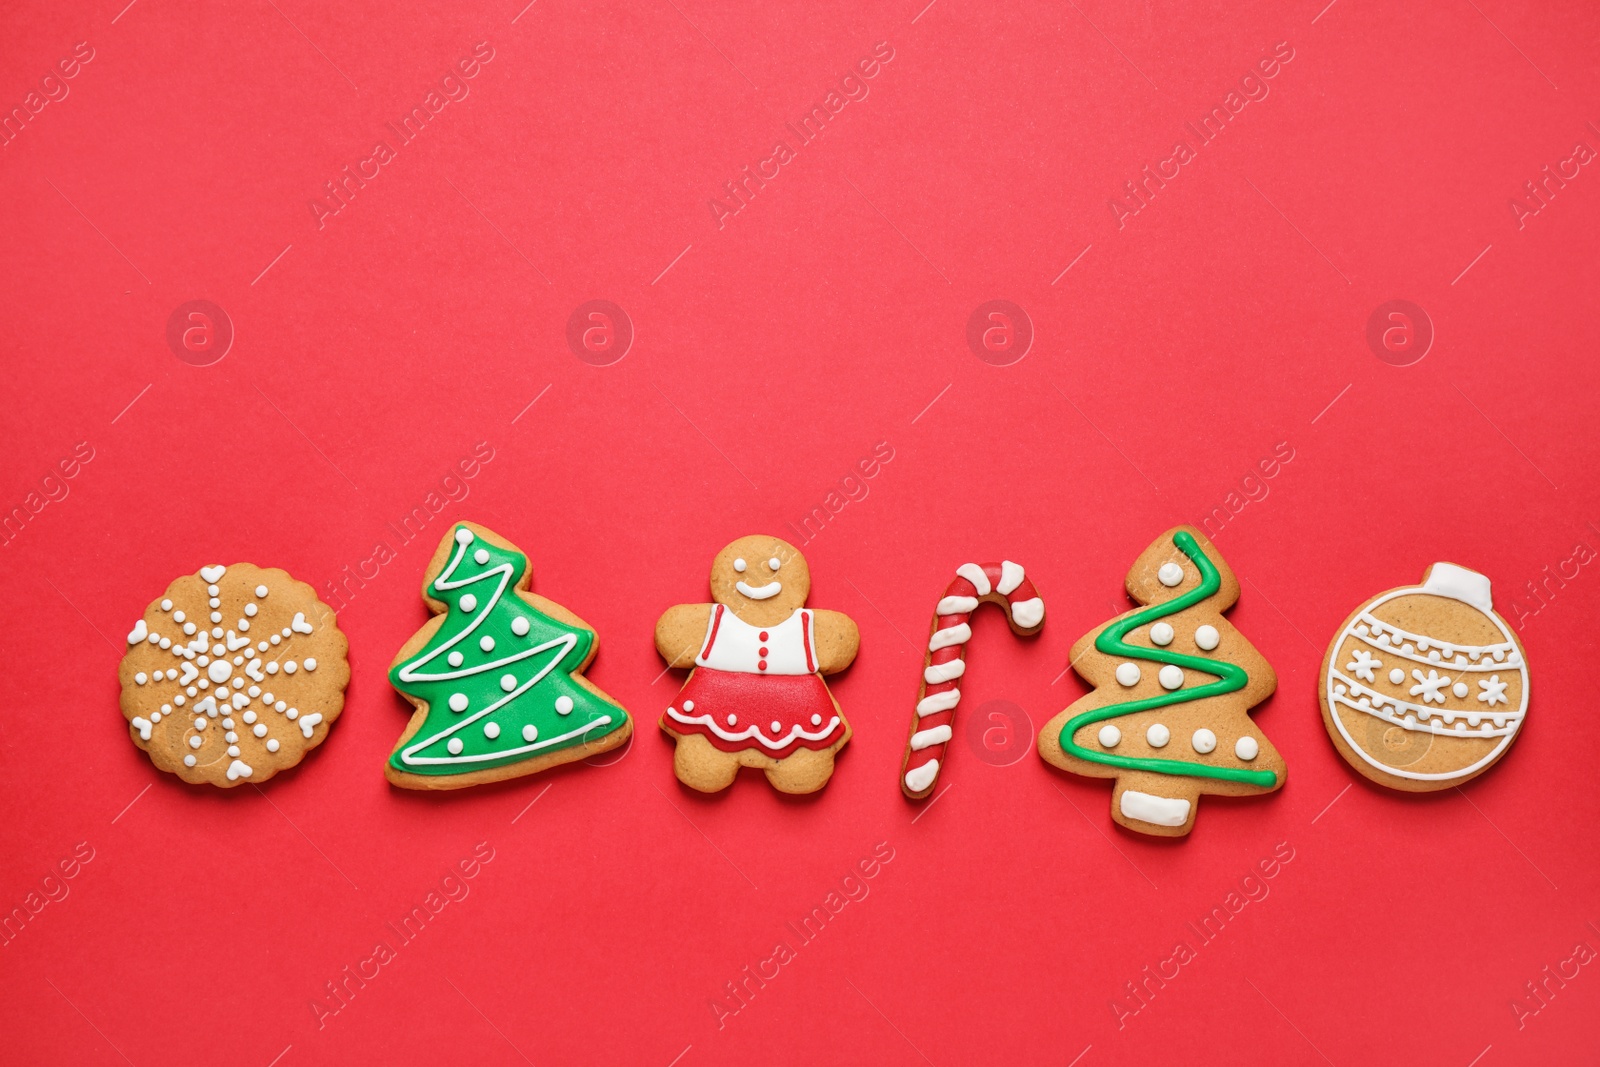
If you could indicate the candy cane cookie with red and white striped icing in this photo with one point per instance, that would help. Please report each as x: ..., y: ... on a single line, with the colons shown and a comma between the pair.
x: 1004, y: 585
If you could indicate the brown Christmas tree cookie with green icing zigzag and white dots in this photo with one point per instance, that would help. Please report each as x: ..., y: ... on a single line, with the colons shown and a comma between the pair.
x: 1174, y: 687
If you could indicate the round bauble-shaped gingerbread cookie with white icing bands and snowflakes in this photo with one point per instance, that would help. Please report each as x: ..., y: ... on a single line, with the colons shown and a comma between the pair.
x: 1426, y: 685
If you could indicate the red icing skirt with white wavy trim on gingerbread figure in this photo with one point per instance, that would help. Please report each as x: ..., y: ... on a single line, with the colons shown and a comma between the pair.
x: 772, y: 714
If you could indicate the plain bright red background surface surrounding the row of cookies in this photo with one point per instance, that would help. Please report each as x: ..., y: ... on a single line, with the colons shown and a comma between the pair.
x: 830, y: 314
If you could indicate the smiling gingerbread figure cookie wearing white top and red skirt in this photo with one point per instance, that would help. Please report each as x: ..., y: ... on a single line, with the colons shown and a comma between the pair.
x: 756, y: 693
